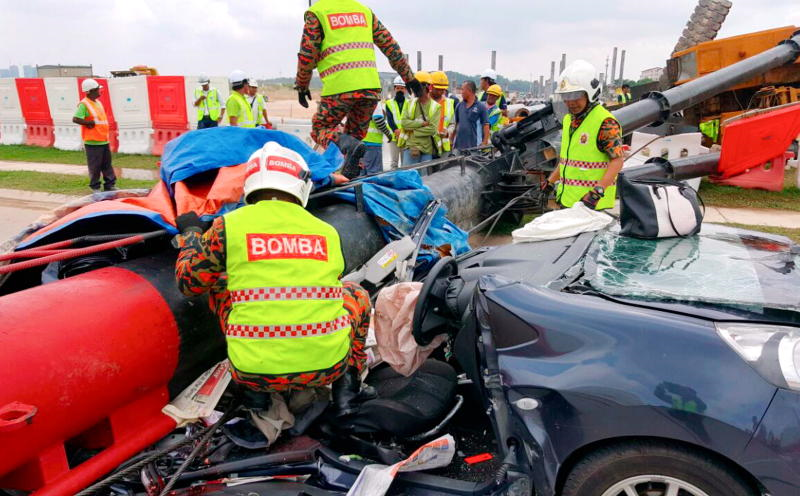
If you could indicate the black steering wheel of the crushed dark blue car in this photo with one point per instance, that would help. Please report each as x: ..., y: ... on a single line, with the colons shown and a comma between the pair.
x: 431, y: 311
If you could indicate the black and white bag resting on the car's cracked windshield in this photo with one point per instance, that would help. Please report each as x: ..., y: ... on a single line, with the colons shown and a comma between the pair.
x: 658, y: 208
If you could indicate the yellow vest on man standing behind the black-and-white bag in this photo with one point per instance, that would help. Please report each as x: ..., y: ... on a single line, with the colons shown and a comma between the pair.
x: 581, y: 164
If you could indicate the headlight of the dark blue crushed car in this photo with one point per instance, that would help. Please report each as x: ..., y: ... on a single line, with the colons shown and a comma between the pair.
x: 773, y: 351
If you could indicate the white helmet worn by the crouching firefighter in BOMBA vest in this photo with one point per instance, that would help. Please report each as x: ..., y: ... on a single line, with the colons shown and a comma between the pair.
x: 279, y: 168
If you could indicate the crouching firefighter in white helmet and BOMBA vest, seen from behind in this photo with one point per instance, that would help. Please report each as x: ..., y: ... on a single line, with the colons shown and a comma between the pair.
x: 273, y: 272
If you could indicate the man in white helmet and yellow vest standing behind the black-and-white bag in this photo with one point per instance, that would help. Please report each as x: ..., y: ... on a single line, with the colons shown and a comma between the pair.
x: 591, y: 142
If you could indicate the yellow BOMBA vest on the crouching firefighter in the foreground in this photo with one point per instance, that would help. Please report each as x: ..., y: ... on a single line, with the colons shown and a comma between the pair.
x: 283, y: 267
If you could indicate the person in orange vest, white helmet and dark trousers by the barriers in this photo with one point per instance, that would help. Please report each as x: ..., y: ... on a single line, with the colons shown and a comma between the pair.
x: 91, y: 116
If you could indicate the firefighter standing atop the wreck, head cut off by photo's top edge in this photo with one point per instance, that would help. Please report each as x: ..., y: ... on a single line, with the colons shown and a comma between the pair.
x: 338, y: 40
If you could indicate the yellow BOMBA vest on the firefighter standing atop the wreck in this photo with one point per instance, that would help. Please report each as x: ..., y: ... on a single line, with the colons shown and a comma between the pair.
x: 347, y: 54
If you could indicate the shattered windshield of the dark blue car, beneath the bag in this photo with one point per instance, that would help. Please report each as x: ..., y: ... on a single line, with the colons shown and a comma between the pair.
x: 721, y: 265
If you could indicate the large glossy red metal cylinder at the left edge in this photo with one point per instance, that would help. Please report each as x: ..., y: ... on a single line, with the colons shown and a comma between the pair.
x: 82, y: 360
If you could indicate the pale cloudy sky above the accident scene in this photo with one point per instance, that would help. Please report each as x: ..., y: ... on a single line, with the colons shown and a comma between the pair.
x: 262, y: 36
